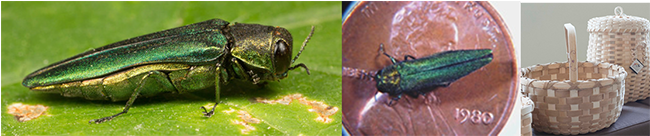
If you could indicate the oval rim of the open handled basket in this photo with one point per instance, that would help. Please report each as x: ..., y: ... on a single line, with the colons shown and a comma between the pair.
x: 621, y: 74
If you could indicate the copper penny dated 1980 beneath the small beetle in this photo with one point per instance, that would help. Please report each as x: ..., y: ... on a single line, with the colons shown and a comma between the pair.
x: 477, y: 104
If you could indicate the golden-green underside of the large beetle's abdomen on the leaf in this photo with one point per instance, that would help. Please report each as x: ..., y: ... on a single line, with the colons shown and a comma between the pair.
x: 119, y: 86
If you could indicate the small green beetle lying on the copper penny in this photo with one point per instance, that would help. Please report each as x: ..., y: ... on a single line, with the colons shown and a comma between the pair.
x: 419, y: 76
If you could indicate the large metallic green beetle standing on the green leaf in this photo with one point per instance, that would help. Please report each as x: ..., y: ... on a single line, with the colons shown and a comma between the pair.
x: 184, y: 59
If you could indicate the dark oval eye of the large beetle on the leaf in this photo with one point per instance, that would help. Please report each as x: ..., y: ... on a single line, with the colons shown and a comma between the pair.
x: 282, y: 57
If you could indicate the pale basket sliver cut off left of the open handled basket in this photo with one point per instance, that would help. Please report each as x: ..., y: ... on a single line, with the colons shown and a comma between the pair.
x: 527, y: 107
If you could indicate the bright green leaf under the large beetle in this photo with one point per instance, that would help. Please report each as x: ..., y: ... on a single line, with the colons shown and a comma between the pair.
x: 36, y: 34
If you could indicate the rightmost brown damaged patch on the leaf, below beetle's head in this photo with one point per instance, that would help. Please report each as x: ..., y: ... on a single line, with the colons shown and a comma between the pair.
x: 324, y: 111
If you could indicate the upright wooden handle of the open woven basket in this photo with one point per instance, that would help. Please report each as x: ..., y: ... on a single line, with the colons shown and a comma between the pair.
x: 571, y: 51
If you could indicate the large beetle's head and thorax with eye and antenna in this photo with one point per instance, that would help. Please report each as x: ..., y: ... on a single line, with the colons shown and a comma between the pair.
x: 264, y: 52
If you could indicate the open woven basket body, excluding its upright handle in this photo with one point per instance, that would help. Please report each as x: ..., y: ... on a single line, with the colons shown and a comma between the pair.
x: 591, y: 103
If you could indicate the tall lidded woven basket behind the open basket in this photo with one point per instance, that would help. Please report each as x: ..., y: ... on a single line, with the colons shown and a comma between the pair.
x: 622, y: 39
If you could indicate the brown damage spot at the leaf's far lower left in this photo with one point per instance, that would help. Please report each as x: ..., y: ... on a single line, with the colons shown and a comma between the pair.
x: 24, y: 112
